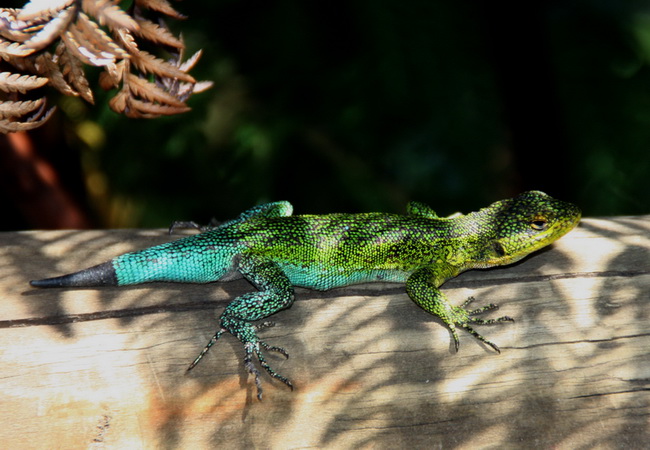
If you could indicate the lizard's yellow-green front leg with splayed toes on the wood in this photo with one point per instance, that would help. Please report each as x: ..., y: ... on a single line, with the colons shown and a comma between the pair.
x: 422, y: 289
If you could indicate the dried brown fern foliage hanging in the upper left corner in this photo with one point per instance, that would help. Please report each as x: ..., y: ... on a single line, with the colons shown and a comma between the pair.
x: 51, y: 42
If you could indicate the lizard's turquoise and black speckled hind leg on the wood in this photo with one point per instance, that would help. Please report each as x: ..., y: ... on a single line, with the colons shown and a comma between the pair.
x: 275, y: 293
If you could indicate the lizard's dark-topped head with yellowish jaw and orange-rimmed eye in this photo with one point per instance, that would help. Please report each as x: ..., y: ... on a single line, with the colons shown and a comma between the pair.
x: 522, y: 225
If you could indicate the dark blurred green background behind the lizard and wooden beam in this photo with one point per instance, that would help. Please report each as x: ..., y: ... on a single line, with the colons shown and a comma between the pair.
x: 352, y: 106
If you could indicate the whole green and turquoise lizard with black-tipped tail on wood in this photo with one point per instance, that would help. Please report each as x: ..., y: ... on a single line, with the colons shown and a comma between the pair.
x: 276, y: 251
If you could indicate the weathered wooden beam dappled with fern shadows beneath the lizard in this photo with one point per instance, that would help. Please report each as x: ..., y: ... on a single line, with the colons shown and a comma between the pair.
x: 104, y: 368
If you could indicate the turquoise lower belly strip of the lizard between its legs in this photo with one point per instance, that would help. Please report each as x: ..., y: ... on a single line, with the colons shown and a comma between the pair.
x: 322, y: 277
